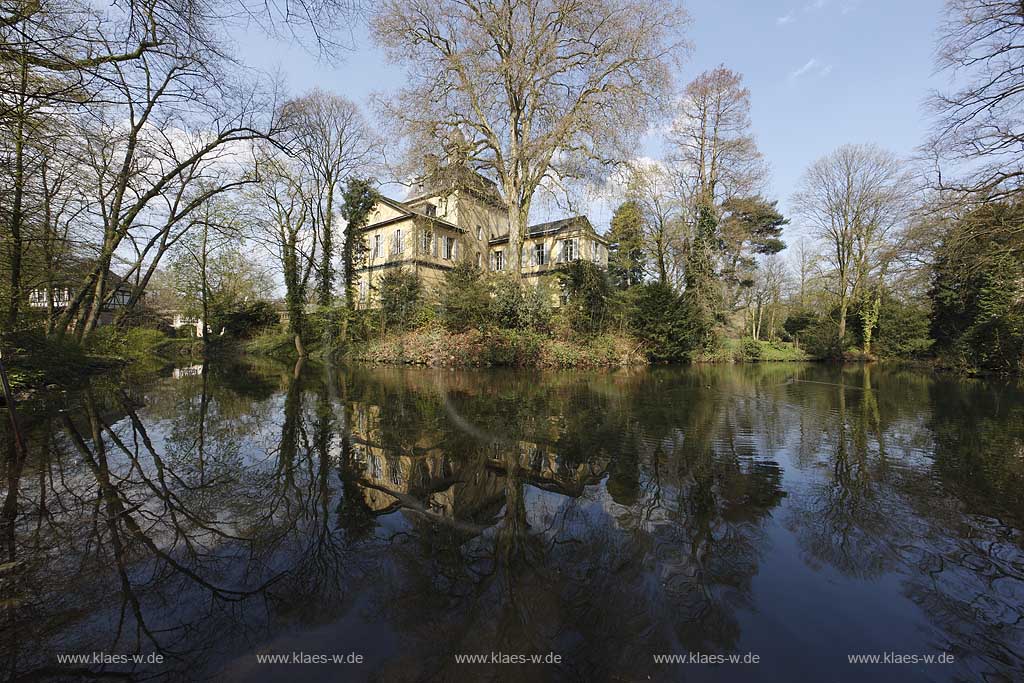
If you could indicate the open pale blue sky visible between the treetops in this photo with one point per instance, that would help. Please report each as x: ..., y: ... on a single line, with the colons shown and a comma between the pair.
x: 822, y: 73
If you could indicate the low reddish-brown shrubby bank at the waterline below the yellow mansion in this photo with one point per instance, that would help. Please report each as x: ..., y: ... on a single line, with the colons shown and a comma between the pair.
x: 516, y: 349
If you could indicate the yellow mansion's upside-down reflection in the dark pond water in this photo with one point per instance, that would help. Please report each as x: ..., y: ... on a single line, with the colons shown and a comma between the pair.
x: 466, y: 487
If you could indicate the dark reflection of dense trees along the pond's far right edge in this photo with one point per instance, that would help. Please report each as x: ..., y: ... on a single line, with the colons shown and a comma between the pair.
x: 963, y: 561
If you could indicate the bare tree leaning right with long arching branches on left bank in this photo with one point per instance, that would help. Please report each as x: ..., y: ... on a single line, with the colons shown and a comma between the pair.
x: 153, y: 162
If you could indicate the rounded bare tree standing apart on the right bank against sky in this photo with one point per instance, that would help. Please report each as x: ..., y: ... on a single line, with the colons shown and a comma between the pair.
x: 854, y: 200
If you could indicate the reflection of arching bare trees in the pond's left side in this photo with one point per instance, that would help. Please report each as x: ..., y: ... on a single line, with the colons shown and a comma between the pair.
x: 186, y: 541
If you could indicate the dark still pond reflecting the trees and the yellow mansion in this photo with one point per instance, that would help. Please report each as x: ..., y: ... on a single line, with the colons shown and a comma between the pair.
x: 248, y: 522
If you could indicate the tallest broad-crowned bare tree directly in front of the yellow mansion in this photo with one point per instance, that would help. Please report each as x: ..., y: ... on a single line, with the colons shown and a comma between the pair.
x: 544, y: 92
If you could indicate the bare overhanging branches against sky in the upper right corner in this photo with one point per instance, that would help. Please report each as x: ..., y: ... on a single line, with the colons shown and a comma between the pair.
x: 979, y: 126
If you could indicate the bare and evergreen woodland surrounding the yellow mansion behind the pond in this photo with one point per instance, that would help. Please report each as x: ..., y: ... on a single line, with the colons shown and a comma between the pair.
x: 141, y: 162
